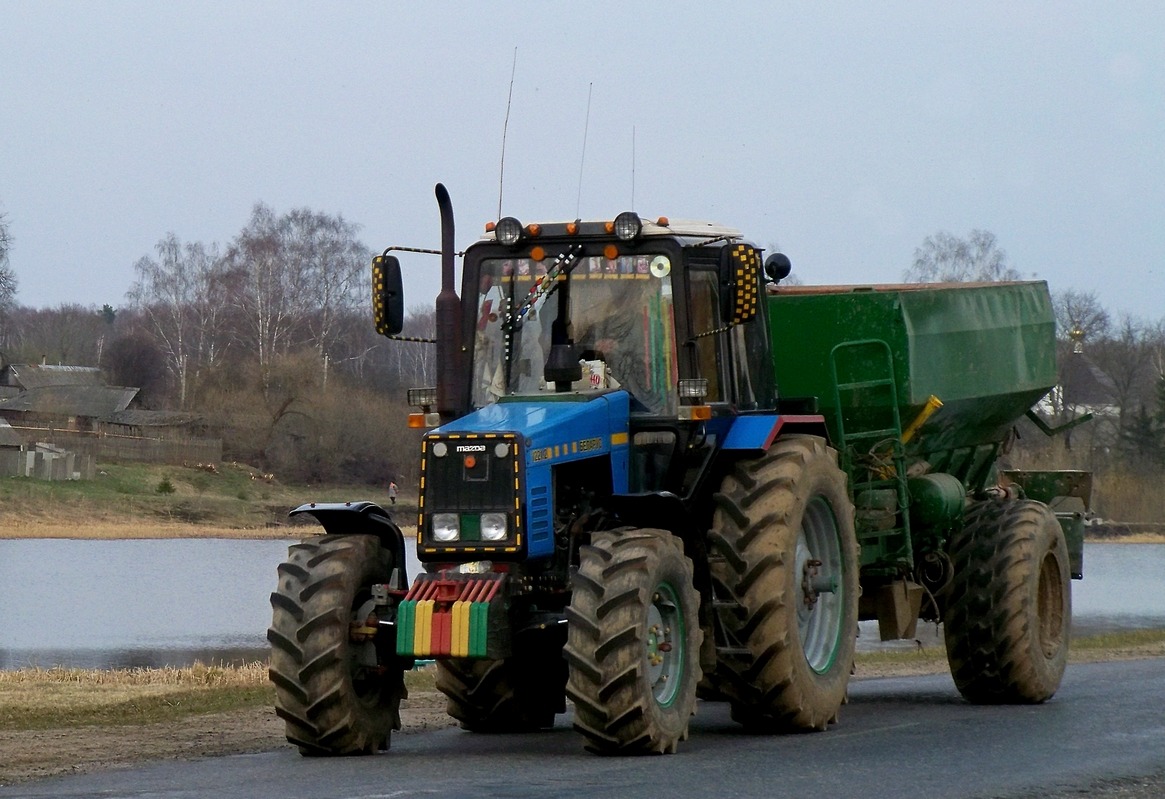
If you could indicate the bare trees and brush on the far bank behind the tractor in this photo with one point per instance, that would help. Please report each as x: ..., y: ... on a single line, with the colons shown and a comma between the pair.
x: 270, y: 338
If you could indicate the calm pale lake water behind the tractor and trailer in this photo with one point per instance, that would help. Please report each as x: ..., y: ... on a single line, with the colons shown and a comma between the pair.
x: 118, y: 604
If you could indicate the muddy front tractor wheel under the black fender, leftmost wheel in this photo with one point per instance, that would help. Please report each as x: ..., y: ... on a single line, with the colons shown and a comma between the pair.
x: 336, y: 694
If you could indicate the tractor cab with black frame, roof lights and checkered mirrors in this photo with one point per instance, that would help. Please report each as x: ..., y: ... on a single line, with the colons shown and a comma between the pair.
x: 672, y: 314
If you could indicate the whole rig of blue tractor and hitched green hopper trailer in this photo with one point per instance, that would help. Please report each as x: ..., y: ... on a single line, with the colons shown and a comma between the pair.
x: 651, y: 472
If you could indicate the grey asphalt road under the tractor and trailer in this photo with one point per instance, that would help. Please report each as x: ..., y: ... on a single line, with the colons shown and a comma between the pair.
x: 899, y: 739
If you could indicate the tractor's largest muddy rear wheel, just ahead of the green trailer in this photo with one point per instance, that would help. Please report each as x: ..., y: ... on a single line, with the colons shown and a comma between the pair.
x: 786, y: 564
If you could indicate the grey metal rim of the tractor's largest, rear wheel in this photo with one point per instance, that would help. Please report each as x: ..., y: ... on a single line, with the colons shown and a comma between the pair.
x: 820, y: 569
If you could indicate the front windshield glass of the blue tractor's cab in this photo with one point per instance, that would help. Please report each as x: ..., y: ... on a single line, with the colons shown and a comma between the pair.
x: 622, y: 323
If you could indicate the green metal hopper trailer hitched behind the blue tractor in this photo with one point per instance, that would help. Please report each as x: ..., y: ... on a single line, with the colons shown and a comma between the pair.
x: 922, y: 387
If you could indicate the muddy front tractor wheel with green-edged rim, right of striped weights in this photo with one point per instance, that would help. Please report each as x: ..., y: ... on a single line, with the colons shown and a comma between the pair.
x: 633, y: 644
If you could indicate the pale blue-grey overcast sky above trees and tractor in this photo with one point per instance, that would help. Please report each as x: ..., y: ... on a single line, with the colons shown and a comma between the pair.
x: 842, y: 133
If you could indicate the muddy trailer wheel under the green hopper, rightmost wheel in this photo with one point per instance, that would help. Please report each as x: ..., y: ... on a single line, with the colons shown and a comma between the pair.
x: 1009, y: 606
